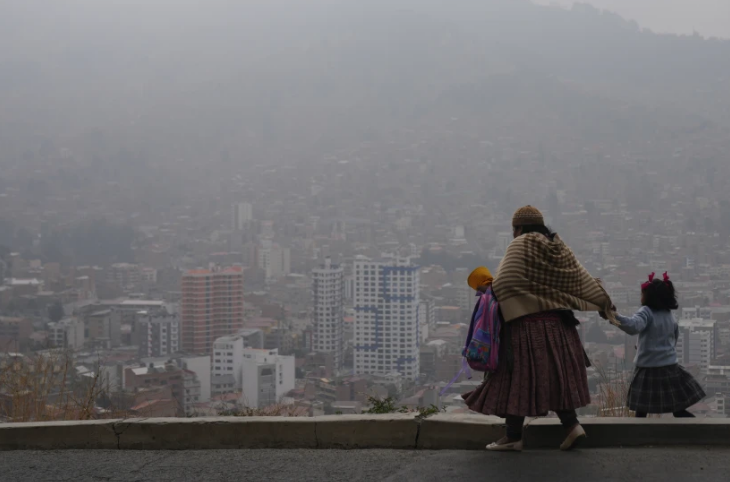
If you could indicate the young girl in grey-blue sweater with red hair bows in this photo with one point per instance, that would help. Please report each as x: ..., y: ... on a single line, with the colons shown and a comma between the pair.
x: 660, y: 384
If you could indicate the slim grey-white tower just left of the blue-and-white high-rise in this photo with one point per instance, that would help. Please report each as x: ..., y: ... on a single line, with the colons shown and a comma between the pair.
x: 327, y: 293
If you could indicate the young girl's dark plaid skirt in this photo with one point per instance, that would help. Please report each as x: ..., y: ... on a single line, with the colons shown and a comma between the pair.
x: 663, y: 390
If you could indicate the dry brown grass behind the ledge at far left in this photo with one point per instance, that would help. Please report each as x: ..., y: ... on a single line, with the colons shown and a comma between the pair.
x: 45, y: 387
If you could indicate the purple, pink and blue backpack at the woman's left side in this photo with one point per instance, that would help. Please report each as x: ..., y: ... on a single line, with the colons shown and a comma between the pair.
x: 482, y: 343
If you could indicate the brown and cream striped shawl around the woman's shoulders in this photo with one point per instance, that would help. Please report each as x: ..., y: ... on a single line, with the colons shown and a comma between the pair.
x: 538, y: 274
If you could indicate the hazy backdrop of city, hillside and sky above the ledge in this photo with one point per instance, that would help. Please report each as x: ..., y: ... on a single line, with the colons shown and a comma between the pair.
x: 272, y: 207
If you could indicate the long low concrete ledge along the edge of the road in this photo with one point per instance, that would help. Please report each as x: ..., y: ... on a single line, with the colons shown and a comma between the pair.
x: 396, y: 431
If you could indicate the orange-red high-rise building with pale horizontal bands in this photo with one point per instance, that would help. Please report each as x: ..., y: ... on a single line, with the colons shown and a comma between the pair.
x: 212, y: 306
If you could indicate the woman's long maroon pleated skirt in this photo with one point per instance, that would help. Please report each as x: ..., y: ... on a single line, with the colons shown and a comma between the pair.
x: 547, y: 372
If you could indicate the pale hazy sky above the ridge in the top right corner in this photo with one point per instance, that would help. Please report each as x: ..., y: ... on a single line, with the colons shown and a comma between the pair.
x: 707, y: 17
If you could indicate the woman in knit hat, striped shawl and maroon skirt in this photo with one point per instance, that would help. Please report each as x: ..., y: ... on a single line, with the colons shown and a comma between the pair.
x: 542, y: 364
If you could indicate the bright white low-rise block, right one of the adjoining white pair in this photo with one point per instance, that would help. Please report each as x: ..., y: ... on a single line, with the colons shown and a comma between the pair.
x: 267, y: 377
